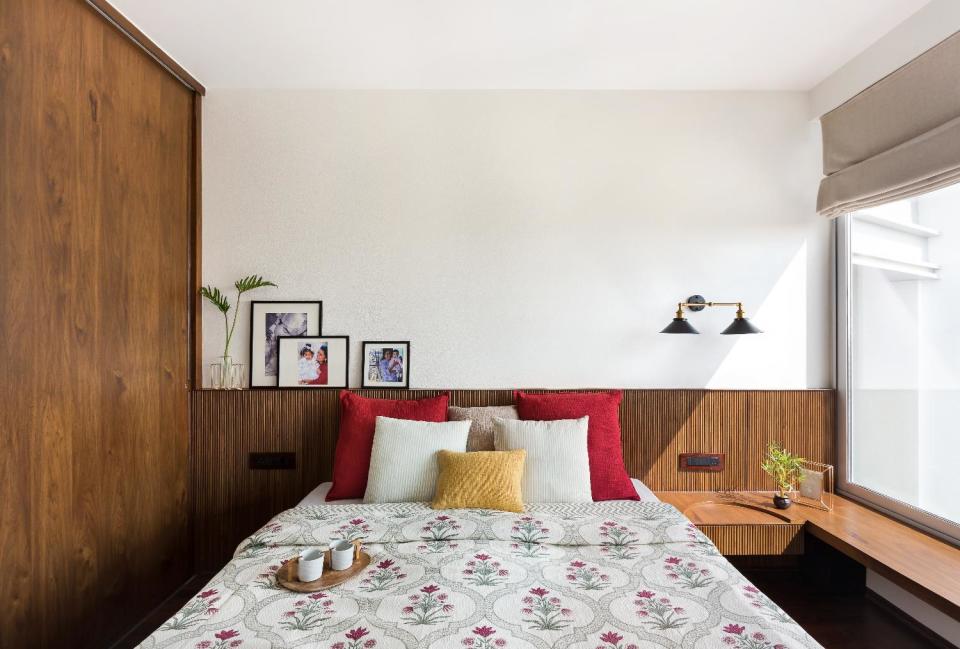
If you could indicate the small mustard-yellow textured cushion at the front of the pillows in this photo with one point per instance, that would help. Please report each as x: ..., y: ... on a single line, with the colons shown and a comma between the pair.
x: 480, y: 480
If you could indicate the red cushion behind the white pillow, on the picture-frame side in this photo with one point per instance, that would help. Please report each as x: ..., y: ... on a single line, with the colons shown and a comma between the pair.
x: 358, y: 417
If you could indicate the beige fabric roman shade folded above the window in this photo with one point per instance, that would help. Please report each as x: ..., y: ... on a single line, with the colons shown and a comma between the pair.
x: 898, y: 138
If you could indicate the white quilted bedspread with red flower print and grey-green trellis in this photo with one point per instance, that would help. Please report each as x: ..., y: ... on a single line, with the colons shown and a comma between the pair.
x: 608, y: 575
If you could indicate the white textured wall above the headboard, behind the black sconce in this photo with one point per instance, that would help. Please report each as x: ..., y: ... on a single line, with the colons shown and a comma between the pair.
x: 529, y: 238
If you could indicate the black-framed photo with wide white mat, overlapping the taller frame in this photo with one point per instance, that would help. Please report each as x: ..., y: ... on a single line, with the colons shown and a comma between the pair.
x: 313, y: 361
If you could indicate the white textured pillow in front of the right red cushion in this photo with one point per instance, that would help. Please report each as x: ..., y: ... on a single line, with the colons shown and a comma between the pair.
x: 557, y: 468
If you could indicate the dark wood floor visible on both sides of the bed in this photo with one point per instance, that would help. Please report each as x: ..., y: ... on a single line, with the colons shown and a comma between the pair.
x: 825, y: 594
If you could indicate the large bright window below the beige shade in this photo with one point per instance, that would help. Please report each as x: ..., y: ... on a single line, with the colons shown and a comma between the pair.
x: 899, y: 358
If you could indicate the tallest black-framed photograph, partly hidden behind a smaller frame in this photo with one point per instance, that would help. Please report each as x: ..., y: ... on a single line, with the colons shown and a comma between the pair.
x: 270, y: 321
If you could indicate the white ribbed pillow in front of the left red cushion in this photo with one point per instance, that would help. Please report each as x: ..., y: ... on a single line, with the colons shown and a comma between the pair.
x: 403, y: 461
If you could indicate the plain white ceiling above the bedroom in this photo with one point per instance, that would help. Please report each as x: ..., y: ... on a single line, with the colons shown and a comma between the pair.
x: 557, y: 44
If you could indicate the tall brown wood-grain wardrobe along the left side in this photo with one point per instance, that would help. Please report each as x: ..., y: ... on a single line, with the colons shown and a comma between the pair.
x: 98, y: 225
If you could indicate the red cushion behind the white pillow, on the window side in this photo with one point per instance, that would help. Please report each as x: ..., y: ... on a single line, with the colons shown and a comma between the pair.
x: 608, y: 475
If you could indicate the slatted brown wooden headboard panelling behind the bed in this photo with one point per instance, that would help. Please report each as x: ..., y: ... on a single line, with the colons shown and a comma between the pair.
x: 230, y: 500
